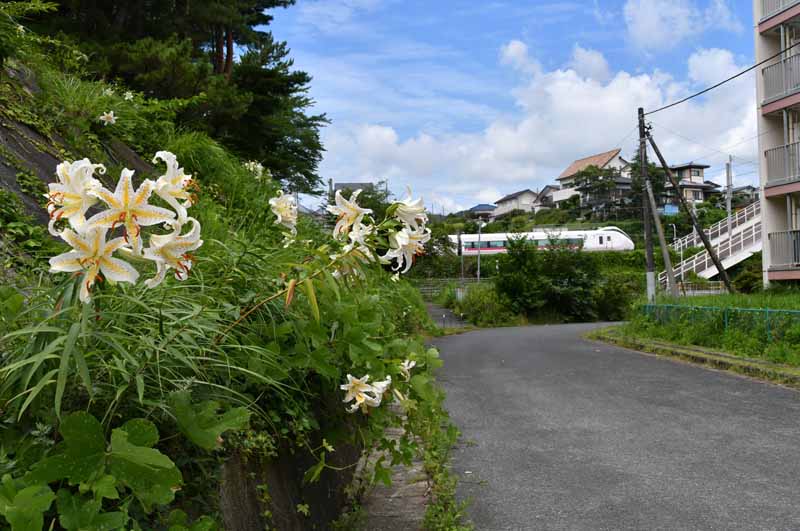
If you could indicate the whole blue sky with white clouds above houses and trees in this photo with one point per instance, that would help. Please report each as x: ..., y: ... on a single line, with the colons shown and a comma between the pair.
x: 466, y: 101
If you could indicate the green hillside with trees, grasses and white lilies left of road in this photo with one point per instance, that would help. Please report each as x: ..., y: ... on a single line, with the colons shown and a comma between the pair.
x: 179, y: 351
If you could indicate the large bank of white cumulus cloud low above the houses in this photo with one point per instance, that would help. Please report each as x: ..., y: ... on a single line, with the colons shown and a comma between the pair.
x: 563, y: 115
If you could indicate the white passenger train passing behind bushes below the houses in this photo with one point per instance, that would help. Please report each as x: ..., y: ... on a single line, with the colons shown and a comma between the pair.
x: 603, y: 239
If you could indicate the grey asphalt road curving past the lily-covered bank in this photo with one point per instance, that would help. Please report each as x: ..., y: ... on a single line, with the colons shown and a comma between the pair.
x: 563, y: 433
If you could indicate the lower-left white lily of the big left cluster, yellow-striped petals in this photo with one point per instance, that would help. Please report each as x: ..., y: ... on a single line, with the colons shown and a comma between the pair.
x: 93, y: 254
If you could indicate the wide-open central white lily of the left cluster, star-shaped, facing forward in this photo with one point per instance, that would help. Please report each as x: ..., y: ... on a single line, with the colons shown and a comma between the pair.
x: 130, y: 209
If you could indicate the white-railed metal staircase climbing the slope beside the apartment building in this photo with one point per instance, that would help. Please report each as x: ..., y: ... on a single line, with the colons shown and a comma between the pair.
x: 743, y: 241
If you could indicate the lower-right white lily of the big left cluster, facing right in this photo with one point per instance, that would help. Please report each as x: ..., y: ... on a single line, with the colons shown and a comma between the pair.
x: 171, y: 251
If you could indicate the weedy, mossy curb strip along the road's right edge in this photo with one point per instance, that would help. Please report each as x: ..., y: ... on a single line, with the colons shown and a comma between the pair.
x: 763, y: 370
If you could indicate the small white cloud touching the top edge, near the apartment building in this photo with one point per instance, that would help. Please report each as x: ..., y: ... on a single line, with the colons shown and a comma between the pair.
x: 664, y: 24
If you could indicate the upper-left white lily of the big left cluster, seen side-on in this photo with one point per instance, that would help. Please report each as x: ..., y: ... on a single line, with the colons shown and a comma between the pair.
x: 72, y: 196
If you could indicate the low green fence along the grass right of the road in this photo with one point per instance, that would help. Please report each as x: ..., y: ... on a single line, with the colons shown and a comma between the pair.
x: 767, y: 323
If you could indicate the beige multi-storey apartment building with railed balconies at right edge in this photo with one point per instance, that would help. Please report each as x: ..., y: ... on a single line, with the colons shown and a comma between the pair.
x: 778, y: 91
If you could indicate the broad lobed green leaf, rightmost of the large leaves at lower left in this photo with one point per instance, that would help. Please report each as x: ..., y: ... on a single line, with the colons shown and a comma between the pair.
x: 201, y: 424
